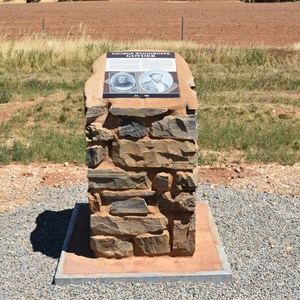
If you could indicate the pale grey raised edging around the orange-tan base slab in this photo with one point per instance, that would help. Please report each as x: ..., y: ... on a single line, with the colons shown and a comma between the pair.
x: 223, y: 275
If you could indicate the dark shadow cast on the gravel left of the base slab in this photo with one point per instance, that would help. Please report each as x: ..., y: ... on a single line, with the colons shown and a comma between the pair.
x: 50, y: 232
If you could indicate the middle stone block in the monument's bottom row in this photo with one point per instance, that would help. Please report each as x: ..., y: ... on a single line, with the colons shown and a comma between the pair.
x: 152, y: 244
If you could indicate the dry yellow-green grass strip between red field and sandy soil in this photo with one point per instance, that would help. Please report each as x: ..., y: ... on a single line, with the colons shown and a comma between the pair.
x: 248, y: 99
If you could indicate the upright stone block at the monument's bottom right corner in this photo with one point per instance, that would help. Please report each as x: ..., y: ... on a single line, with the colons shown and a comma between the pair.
x: 184, y: 237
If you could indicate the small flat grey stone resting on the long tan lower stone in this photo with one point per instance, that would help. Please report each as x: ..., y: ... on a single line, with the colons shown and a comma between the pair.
x: 136, y: 207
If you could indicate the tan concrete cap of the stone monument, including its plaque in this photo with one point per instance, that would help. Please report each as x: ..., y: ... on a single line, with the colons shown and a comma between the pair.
x: 133, y: 84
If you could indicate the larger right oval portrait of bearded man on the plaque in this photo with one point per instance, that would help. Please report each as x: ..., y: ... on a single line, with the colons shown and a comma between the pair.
x: 156, y: 81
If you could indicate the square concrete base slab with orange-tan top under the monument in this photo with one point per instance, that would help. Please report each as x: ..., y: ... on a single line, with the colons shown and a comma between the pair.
x: 77, y: 265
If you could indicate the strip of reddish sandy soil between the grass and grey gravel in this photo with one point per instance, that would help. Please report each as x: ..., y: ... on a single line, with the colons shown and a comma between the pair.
x: 18, y: 182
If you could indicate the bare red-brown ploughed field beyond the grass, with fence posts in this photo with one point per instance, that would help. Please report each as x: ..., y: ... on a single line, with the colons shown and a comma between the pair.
x: 233, y: 23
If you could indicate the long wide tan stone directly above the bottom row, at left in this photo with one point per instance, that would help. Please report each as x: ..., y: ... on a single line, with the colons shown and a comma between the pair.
x: 105, y: 224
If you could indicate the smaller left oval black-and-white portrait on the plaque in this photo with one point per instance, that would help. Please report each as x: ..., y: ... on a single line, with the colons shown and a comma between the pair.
x: 122, y: 81
